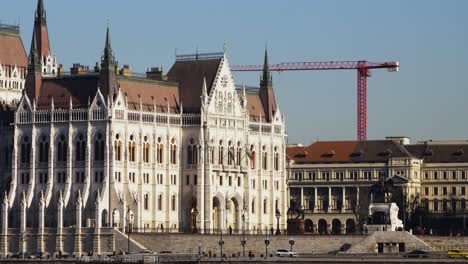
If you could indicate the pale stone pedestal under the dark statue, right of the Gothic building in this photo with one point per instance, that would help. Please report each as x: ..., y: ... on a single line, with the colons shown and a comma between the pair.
x: 384, y: 217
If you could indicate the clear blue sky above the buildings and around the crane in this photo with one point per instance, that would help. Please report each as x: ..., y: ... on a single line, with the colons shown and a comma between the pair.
x: 427, y: 99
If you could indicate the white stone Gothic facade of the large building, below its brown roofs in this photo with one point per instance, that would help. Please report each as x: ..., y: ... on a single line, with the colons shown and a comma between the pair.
x: 137, y: 166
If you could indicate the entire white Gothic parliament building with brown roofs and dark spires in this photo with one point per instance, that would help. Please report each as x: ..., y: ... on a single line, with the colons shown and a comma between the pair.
x: 186, y: 151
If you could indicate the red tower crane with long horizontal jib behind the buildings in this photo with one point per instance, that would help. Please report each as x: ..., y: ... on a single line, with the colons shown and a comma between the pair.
x: 363, y: 71
